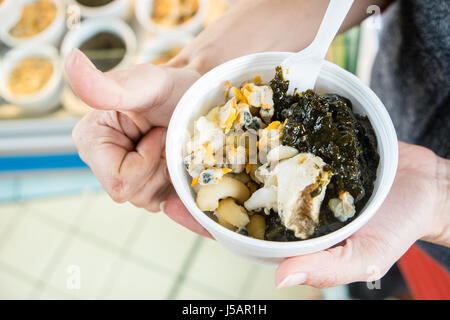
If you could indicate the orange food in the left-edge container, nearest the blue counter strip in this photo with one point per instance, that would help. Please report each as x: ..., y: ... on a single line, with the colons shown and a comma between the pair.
x: 30, y: 75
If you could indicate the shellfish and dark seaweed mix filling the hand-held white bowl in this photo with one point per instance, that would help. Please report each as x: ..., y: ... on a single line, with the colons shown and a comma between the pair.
x: 281, y: 167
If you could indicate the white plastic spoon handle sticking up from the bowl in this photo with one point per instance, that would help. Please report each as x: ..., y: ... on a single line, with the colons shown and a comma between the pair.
x: 331, y: 22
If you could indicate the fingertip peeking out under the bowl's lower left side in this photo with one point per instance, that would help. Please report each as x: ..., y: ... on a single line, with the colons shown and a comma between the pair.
x: 175, y: 209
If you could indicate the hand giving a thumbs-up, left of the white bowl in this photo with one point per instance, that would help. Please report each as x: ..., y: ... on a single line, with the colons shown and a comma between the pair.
x: 123, y: 139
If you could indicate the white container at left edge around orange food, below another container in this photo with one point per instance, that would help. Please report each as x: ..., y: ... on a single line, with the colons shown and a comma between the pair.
x: 44, y: 100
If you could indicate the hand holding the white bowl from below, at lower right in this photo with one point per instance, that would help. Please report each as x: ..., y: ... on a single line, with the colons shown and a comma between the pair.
x: 414, y: 209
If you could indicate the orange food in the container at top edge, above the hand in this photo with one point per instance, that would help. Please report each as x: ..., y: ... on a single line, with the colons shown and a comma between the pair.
x: 170, y: 13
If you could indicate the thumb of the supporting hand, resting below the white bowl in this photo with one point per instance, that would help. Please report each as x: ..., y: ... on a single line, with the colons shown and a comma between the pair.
x: 357, y: 260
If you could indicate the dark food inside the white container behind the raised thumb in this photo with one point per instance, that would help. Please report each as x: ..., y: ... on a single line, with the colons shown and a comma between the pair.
x: 105, y: 49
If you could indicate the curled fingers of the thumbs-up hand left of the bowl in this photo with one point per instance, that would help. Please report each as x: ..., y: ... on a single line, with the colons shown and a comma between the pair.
x: 122, y: 168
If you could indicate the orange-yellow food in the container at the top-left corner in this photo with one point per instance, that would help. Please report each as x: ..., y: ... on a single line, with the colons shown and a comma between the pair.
x: 36, y: 17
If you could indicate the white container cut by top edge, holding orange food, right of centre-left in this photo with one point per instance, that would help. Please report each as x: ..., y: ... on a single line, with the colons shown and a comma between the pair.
x: 143, y: 10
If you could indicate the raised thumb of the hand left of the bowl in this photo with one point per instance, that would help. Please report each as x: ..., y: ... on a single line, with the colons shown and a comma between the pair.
x: 134, y: 89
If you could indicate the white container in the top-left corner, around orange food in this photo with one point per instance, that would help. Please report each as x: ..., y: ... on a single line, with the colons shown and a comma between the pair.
x: 51, y: 35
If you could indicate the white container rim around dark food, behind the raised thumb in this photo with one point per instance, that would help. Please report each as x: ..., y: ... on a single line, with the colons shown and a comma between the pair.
x: 90, y: 27
